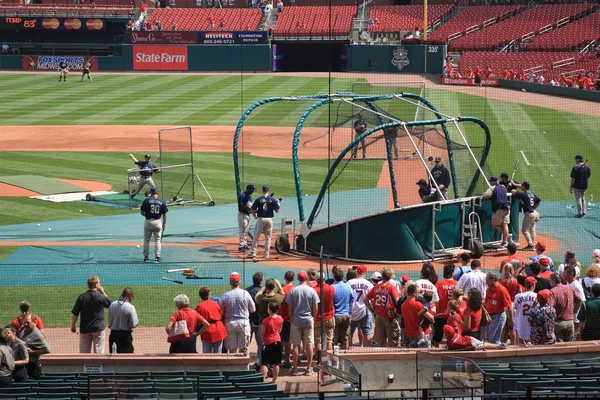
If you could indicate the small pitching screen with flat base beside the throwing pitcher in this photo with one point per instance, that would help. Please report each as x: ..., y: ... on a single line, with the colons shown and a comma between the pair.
x: 175, y: 176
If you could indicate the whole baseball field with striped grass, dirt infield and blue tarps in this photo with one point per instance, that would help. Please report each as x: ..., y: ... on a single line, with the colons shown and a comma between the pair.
x: 84, y: 132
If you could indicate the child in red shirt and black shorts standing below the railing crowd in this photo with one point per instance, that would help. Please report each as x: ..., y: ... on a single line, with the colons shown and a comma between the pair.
x: 270, y: 335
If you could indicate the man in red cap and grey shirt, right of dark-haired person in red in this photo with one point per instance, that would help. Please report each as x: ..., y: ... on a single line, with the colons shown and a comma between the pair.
x: 236, y: 306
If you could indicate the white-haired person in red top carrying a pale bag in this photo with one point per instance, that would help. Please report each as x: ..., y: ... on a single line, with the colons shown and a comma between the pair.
x: 183, y: 327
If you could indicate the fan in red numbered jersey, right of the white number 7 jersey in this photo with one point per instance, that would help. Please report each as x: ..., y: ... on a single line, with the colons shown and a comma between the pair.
x: 381, y: 300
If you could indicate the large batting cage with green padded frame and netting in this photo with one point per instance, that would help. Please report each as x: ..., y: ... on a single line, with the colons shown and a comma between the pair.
x: 354, y: 191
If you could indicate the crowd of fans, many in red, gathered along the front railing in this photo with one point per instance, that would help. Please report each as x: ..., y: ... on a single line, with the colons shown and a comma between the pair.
x: 531, y: 302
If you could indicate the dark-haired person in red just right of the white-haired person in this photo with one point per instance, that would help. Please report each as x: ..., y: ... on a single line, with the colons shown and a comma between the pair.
x: 209, y: 309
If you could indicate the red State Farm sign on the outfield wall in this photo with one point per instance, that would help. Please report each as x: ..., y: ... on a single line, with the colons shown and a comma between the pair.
x: 160, y: 58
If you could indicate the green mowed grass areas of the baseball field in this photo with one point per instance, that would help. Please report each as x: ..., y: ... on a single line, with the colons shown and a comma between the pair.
x: 547, y: 138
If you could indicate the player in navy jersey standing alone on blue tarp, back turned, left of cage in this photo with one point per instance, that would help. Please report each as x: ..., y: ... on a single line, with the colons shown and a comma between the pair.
x: 153, y: 209
